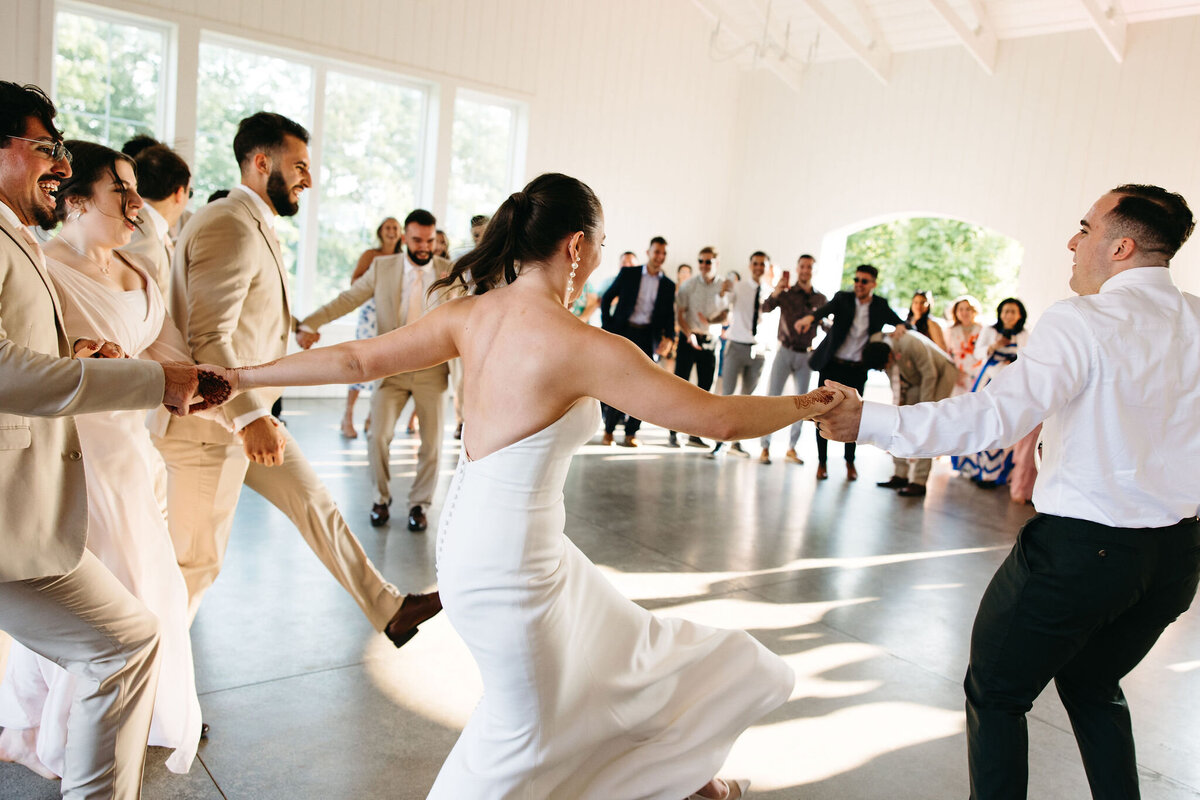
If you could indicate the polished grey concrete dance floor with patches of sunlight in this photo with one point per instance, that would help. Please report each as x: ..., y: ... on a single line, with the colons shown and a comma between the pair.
x: 867, y: 596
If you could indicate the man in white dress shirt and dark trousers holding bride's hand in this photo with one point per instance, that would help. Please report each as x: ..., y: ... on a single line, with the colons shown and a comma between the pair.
x: 1114, y: 555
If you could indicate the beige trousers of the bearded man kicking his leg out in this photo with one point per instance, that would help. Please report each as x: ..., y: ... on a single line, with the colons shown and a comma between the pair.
x: 205, y: 482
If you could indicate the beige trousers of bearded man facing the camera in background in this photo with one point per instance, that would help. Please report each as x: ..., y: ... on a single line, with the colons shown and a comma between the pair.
x: 428, y: 389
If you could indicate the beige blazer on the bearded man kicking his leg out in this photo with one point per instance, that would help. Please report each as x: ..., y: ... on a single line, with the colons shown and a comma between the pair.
x: 230, y: 300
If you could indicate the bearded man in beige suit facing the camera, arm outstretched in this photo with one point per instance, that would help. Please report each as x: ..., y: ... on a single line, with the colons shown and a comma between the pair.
x: 400, y: 285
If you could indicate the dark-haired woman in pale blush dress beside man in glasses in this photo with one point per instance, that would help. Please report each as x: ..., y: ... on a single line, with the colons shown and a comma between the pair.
x: 107, y: 298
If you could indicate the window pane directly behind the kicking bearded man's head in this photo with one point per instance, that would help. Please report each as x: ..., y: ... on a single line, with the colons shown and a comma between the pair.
x: 235, y: 83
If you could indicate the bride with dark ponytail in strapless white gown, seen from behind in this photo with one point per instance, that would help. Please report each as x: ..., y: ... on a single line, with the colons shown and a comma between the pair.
x: 586, y: 695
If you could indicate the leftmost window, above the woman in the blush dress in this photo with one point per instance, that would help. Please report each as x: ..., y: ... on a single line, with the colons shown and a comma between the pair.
x: 110, y: 76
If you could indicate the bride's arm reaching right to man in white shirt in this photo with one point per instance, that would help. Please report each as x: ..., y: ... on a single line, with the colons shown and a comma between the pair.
x: 620, y: 375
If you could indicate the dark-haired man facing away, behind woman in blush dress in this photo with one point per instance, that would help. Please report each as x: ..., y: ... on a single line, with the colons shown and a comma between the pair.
x: 165, y: 184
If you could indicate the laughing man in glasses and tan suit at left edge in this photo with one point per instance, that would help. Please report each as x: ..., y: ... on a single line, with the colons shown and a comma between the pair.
x: 57, y: 598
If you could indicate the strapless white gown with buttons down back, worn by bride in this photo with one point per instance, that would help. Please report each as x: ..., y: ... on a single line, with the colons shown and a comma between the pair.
x: 586, y: 695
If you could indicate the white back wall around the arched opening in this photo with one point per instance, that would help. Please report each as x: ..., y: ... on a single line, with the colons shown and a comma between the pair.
x: 1024, y: 152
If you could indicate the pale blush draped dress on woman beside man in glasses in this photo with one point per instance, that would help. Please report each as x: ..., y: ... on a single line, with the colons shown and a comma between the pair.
x: 127, y: 531
